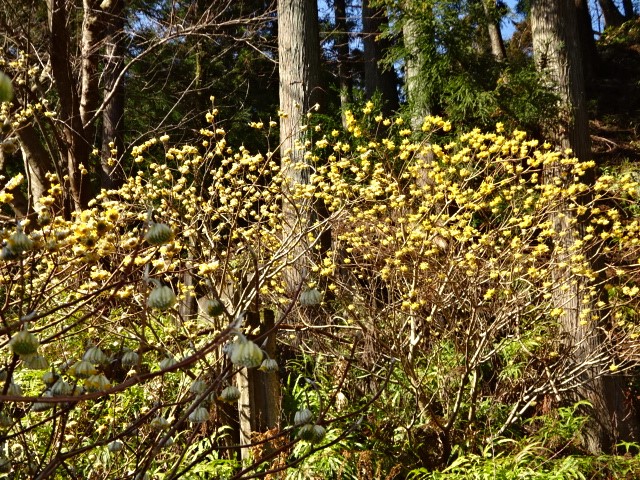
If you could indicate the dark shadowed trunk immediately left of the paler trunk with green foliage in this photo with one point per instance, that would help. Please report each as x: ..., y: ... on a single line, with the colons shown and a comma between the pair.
x: 376, y: 78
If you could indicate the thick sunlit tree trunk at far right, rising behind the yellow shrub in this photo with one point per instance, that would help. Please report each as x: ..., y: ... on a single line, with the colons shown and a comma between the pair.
x: 558, y: 55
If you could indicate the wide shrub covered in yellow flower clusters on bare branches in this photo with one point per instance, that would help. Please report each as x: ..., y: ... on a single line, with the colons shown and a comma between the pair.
x: 444, y: 262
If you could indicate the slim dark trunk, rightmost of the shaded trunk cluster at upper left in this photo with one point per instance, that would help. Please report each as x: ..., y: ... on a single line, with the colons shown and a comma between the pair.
x: 113, y: 114
